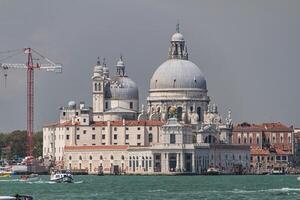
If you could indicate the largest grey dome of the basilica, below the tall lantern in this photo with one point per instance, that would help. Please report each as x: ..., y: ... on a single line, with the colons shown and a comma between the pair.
x: 178, y: 73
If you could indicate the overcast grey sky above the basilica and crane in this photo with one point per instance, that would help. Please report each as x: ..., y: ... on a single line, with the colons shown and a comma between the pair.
x: 248, y: 50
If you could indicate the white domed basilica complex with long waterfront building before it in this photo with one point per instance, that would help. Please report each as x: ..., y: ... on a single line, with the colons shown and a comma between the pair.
x: 179, y: 131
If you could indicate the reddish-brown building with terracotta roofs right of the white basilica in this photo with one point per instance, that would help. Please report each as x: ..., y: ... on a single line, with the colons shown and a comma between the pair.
x: 272, y: 145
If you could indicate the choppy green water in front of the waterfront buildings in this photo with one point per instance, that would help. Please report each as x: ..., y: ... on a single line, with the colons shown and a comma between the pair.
x: 158, y: 187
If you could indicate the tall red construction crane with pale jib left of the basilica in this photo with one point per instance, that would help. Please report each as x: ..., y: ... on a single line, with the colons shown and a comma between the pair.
x: 35, y: 60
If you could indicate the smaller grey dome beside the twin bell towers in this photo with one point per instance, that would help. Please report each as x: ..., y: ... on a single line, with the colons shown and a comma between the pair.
x: 123, y: 88
